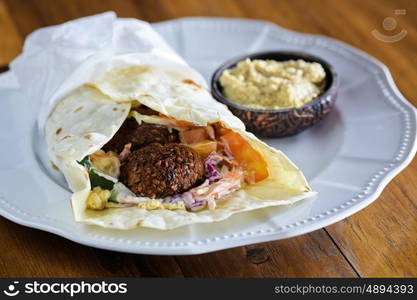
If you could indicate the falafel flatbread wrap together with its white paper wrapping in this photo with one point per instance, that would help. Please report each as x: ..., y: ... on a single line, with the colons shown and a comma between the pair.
x: 137, y: 135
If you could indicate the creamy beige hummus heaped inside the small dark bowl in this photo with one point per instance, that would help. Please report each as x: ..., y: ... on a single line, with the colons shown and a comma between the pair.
x: 270, y: 84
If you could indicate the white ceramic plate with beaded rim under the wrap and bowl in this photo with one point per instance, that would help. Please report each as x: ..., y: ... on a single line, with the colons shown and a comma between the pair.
x: 348, y: 158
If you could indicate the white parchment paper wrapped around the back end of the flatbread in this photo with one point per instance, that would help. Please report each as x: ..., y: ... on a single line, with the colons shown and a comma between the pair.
x: 58, y: 59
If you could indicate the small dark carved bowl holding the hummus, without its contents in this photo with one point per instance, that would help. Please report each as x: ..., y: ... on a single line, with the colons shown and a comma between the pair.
x: 280, y: 122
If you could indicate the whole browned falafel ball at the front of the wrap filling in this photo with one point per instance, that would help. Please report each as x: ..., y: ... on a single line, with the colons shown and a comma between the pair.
x: 158, y: 171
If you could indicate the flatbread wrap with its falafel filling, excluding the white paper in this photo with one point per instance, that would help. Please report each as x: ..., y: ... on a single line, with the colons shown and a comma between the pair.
x: 148, y: 146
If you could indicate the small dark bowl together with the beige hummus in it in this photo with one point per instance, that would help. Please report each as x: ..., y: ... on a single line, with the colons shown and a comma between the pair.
x: 276, y: 93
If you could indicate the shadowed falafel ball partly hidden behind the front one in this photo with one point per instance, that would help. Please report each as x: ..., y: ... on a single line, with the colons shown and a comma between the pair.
x: 140, y: 136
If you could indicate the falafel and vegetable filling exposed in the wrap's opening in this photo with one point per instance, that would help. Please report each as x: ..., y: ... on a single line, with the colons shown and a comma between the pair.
x: 157, y: 162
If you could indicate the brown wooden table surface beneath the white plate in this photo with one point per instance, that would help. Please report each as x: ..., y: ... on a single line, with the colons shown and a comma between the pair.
x: 380, y: 240
